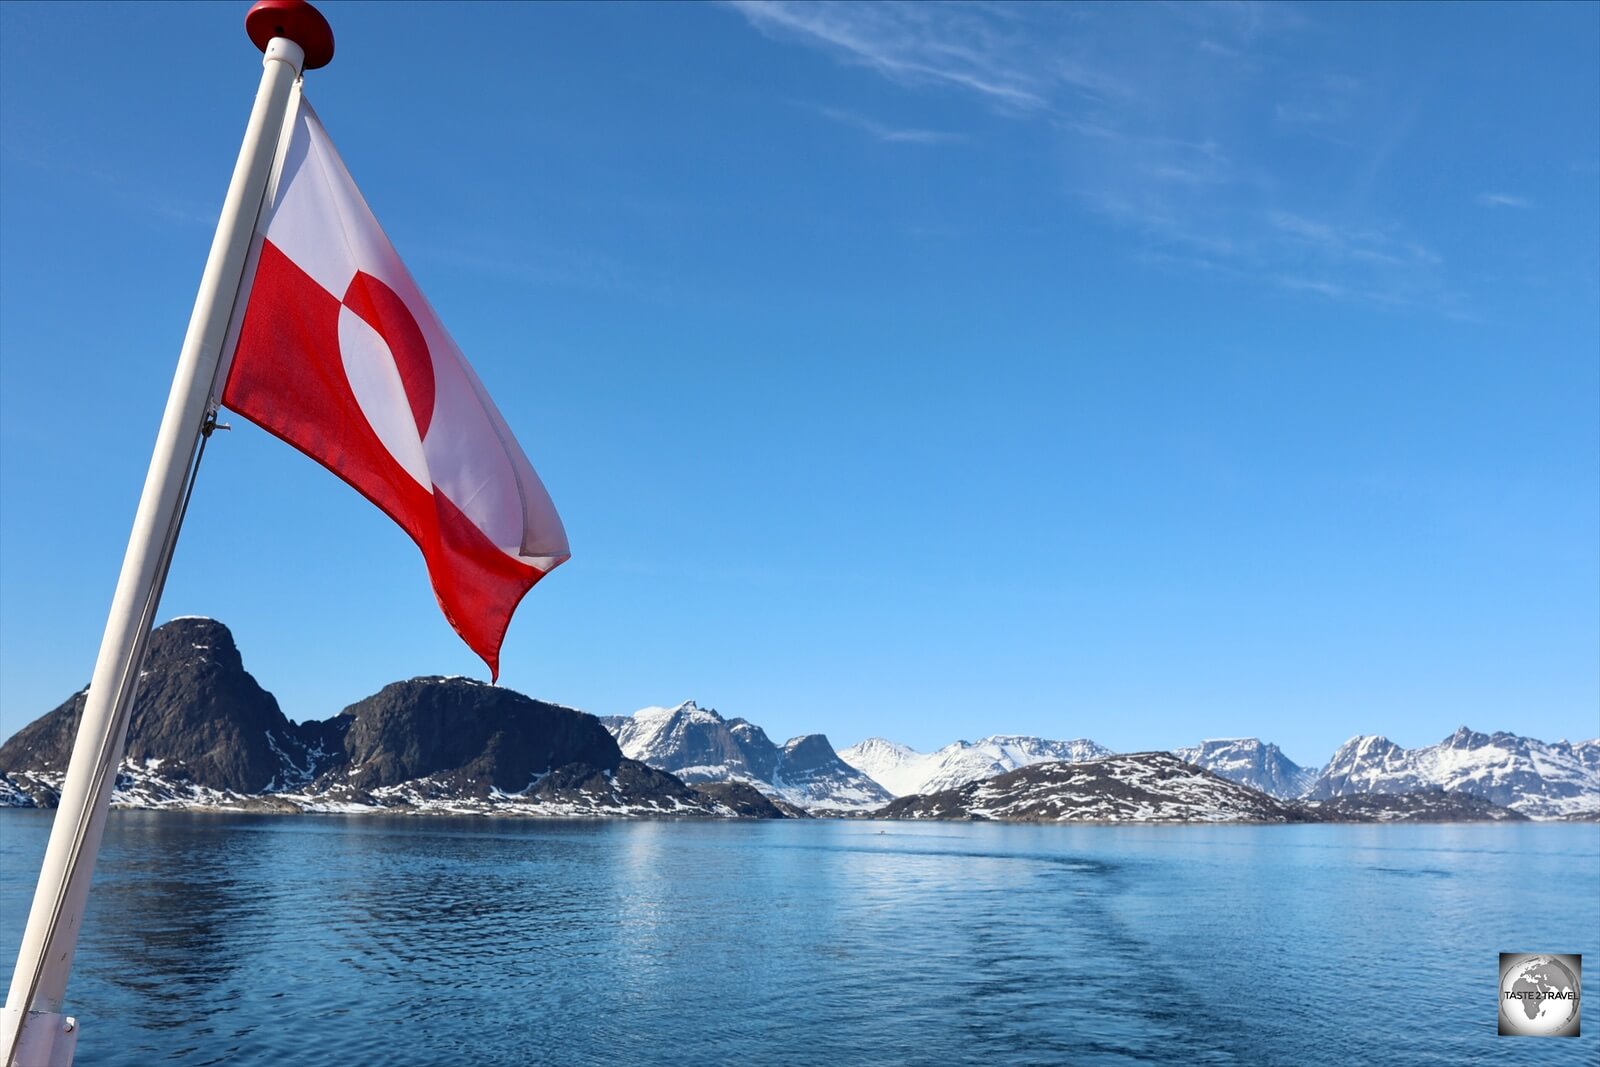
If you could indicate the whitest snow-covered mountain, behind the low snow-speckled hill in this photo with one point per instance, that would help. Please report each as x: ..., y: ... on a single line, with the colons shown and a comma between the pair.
x: 905, y: 772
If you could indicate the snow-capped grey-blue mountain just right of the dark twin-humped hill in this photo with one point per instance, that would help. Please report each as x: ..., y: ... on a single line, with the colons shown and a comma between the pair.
x: 700, y: 746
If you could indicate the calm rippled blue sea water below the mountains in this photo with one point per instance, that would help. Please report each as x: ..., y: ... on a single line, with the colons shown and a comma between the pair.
x: 390, y: 941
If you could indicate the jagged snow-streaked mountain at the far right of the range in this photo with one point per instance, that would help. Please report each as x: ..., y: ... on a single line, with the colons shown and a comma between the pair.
x: 1526, y: 775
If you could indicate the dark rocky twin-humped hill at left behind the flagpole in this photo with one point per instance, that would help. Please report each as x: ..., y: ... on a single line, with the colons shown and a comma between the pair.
x: 206, y: 735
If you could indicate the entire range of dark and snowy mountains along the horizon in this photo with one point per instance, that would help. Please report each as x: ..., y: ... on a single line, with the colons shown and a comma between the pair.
x: 204, y: 733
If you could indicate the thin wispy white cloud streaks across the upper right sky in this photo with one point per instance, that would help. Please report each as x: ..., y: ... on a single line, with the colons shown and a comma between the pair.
x: 1161, y: 121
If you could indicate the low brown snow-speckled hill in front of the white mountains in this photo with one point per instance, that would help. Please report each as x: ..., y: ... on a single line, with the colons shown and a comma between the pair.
x: 1138, y: 788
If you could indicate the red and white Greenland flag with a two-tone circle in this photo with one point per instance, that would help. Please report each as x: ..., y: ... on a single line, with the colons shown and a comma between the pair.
x: 340, y: 356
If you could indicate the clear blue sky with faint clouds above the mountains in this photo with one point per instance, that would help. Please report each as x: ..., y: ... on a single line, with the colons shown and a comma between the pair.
x: 1135, y: 372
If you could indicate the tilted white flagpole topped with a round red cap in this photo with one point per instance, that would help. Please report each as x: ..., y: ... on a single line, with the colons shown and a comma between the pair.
x: 33, y: 1031
